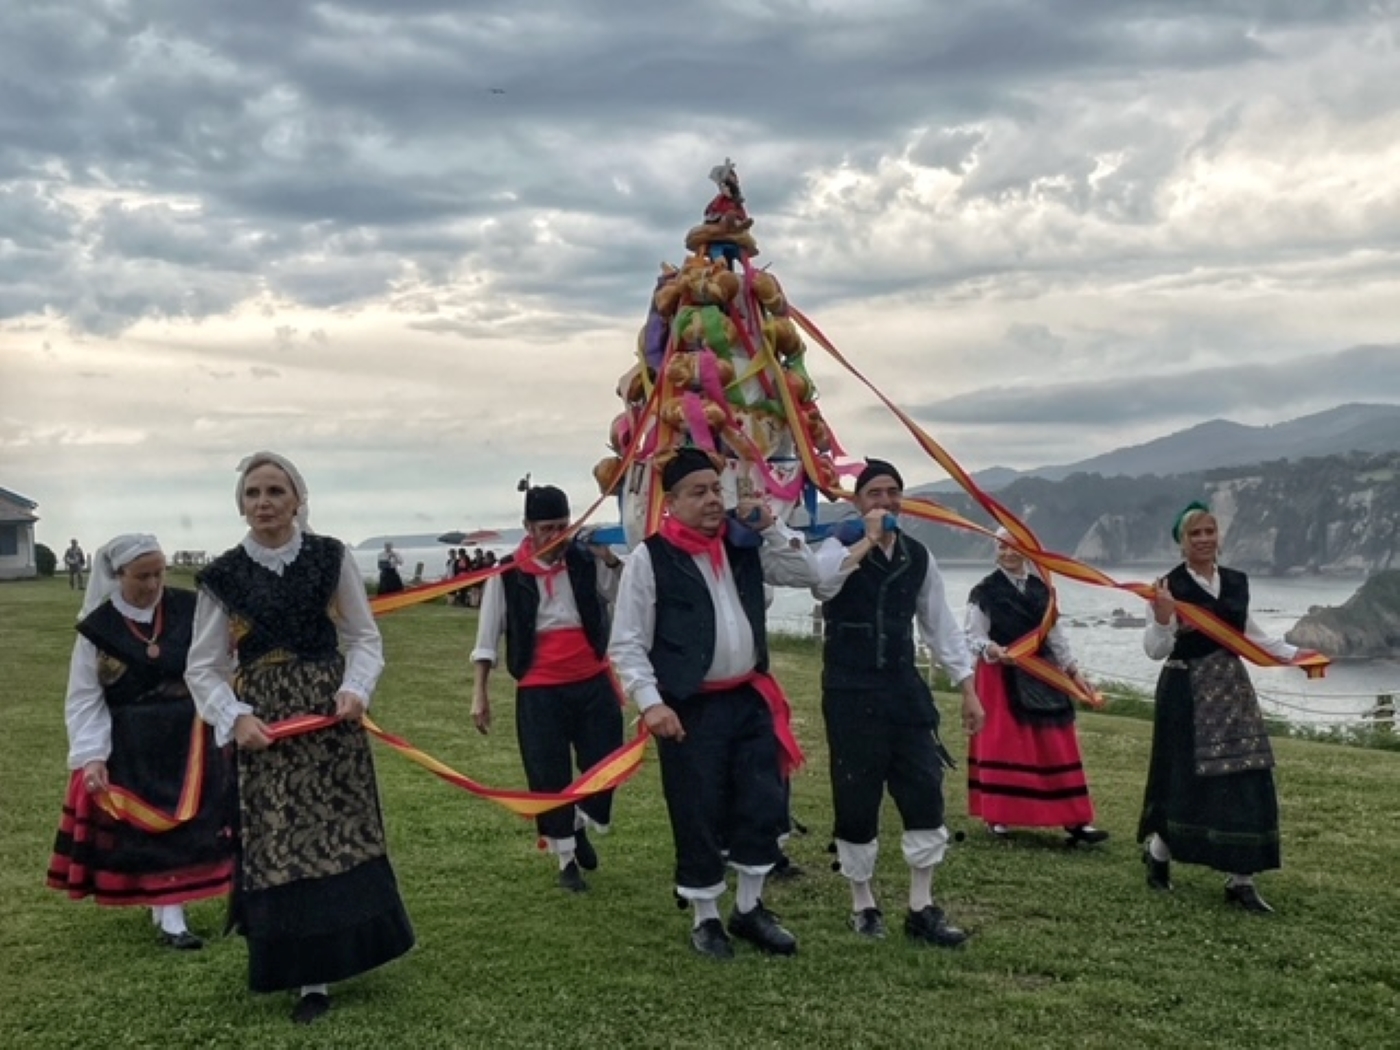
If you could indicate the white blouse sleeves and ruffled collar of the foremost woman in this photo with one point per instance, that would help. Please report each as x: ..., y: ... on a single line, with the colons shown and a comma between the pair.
x: 213, y: 659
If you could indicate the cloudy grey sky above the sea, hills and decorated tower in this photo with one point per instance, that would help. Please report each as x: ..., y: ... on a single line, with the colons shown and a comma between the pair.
x: 409, y: 243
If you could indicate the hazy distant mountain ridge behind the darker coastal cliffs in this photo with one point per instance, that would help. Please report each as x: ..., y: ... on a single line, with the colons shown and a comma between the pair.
x: 1221, y: 443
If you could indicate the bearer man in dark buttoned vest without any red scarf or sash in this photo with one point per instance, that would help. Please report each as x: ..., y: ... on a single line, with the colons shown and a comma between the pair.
x: 881, y: 720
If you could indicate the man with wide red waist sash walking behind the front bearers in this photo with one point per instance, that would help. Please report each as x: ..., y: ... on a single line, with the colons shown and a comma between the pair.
x: 552, y: 608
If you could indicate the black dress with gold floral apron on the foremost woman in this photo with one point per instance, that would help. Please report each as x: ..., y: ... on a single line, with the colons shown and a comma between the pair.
x: 316, y: 895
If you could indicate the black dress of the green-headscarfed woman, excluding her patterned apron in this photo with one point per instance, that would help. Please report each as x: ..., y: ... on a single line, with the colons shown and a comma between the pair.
x: 1230, y: 821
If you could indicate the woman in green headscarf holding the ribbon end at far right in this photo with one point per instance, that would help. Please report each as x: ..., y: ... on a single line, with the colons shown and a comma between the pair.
x: 1210, y: 789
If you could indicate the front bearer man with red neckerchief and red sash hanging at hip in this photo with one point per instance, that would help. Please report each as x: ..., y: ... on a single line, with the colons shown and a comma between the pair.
x: 691, y: 647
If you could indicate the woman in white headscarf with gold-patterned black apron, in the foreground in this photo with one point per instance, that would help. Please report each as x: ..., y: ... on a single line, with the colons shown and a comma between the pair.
x: 283, y: 629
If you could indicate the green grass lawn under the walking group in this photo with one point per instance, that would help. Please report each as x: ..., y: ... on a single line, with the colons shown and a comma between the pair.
x: 1069, y: 950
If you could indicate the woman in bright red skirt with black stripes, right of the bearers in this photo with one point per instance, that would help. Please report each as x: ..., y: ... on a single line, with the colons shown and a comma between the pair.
x: 1025, y: 768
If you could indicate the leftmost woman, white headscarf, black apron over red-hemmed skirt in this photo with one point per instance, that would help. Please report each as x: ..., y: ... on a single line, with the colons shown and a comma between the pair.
x: 146, y: 820
